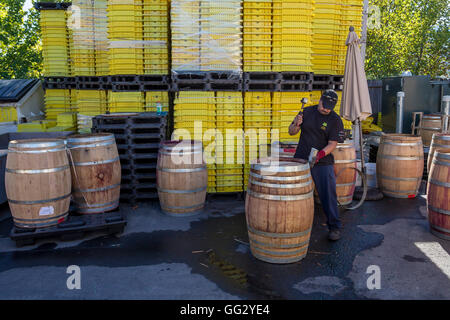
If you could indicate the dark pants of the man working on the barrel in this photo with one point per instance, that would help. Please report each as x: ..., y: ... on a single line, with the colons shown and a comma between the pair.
x: 325, y: 181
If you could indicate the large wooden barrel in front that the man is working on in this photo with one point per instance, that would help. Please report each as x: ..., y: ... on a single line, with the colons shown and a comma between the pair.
x: 279, y: 210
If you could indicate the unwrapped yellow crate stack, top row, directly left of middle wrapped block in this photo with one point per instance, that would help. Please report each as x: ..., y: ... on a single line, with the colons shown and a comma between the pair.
x: 155, y: 35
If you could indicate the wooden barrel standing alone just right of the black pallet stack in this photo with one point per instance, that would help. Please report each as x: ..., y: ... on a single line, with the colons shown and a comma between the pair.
x: 182, y: 178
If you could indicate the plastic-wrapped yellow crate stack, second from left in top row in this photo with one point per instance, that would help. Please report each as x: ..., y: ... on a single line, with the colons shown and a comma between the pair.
x: 83, y: 54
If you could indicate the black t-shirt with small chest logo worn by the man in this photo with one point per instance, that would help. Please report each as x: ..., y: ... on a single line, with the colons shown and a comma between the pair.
x: 317, y: 131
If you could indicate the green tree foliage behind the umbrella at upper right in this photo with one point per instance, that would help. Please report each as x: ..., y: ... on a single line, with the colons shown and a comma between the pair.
x: 413, y: 35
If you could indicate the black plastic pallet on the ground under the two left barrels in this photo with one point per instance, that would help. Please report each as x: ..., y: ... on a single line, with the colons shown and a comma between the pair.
x: 75, y: 227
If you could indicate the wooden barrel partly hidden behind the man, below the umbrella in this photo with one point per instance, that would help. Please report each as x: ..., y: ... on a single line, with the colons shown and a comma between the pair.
x: 344, y: 165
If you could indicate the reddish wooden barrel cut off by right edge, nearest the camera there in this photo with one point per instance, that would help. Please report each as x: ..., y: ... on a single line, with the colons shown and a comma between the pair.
x: 438, y: 194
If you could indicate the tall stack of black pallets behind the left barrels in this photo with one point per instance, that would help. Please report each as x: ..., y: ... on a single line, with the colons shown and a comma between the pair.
x: 138, y: 137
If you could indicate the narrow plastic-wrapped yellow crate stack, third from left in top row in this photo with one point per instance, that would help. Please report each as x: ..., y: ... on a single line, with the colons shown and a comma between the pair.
x: 101, y: 37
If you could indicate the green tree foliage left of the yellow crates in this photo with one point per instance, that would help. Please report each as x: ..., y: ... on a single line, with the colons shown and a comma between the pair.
x: 20, y: 48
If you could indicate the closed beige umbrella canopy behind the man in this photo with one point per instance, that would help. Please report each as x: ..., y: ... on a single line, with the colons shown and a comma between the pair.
x: 355, y: 104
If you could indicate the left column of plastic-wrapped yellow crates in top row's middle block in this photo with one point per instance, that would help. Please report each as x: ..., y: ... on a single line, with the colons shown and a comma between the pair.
x: 185, y: 24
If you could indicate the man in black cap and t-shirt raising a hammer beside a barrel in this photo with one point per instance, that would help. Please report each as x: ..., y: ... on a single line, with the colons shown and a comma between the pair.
x: 322, y: 129
